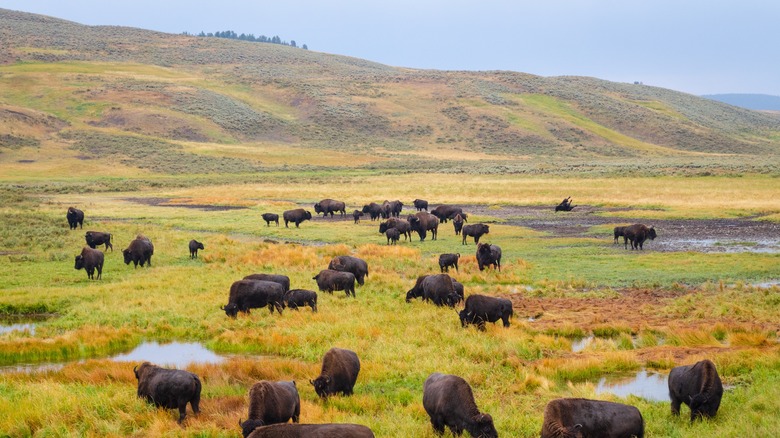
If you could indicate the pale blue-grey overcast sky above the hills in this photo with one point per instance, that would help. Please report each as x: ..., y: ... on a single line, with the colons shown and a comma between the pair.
x: 694, y: 46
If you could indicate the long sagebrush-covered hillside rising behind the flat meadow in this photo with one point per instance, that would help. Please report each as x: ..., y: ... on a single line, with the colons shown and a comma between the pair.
x: 141, y: 98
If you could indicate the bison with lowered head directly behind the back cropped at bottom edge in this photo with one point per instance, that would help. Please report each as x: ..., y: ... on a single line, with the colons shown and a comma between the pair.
x: 271, y: 403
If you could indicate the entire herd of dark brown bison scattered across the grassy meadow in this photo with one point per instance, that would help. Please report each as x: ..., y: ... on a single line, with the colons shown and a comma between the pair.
x: 448, y: 399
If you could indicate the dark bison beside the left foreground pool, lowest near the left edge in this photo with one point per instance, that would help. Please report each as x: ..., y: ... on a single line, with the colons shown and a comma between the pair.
x: 168, y: 388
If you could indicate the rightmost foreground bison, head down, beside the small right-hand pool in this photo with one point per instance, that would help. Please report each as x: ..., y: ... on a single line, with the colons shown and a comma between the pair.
x: 698, y: 386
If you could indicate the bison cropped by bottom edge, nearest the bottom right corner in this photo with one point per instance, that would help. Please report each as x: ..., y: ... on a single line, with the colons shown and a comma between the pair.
x: 579, y: 417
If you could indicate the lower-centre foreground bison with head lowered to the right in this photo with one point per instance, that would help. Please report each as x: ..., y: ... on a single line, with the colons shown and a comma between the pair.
x: 449, y: 401
